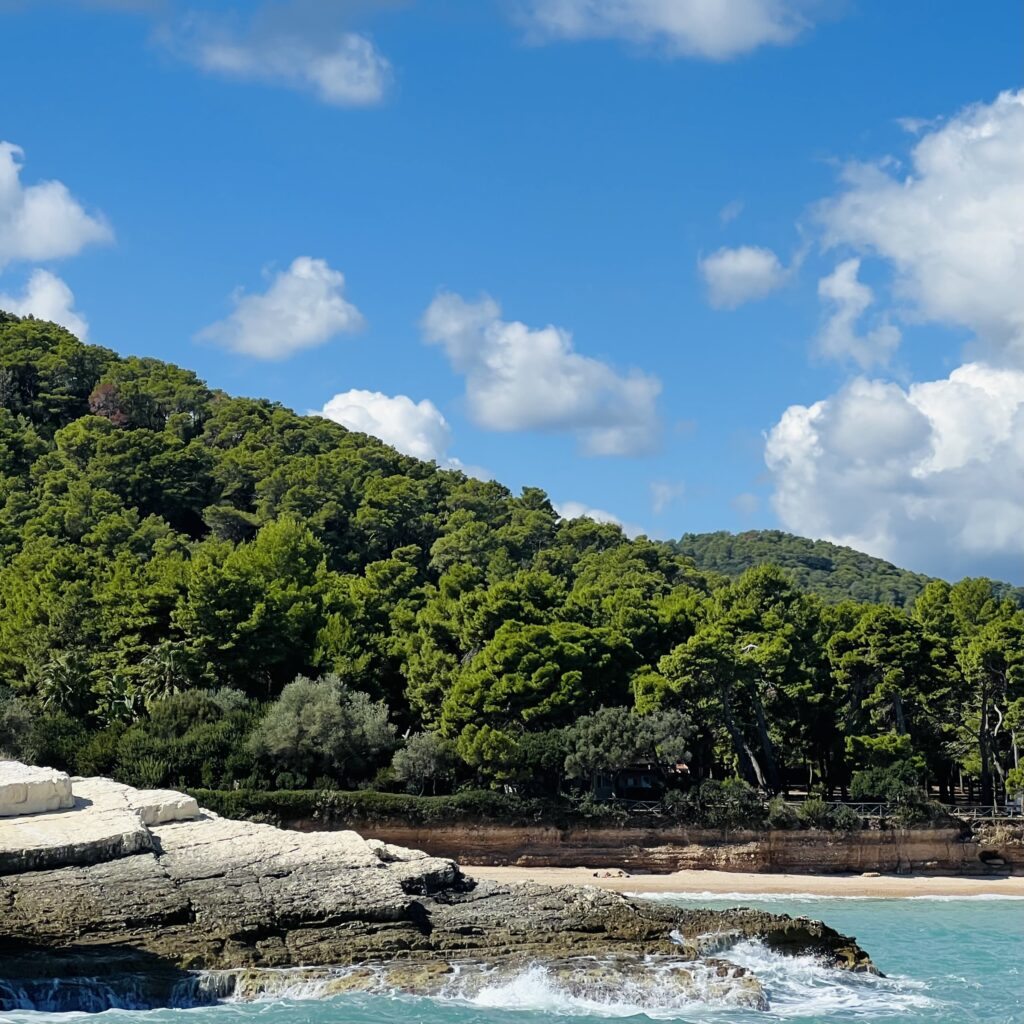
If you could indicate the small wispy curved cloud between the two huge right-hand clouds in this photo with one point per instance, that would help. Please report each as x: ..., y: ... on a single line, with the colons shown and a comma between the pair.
x: 849, y: 300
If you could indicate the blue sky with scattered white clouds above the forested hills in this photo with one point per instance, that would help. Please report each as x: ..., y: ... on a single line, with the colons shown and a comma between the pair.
x: 764, y: 321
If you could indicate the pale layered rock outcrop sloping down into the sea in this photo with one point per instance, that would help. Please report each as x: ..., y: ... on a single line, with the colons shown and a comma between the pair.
x: 130, y: 899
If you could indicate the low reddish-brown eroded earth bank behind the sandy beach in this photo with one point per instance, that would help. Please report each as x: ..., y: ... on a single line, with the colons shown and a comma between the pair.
x: 673, y: 849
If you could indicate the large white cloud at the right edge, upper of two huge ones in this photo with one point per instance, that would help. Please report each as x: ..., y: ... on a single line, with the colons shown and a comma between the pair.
x: 951, y: 228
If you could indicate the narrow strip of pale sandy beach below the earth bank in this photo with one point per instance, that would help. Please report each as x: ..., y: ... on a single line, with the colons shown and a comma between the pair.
x: 892, y: 886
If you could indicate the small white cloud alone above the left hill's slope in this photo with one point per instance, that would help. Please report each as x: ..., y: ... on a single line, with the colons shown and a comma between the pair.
x: 304, y: 307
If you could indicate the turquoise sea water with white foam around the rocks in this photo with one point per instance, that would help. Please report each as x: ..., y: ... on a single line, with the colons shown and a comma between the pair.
x: 948, y: 962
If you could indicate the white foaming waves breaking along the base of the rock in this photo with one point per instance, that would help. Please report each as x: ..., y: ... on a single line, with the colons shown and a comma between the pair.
x: 796, y: 989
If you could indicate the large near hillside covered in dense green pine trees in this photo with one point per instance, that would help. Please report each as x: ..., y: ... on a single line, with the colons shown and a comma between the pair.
x: 203, y: 590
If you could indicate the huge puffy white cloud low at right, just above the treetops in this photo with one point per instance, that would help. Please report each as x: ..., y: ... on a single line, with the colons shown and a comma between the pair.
x: 931, y: 477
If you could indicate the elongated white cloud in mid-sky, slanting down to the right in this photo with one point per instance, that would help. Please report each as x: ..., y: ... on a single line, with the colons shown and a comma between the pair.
x: 520, y: 378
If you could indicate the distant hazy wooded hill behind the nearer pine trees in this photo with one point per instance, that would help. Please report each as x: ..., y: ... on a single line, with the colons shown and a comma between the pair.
x: 832, y: 572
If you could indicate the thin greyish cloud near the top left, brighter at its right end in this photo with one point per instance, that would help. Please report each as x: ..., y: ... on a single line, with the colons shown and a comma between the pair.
x: 339, y: 67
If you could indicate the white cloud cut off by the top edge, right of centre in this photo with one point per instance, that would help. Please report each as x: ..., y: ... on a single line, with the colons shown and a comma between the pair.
x: 690, y: 28
